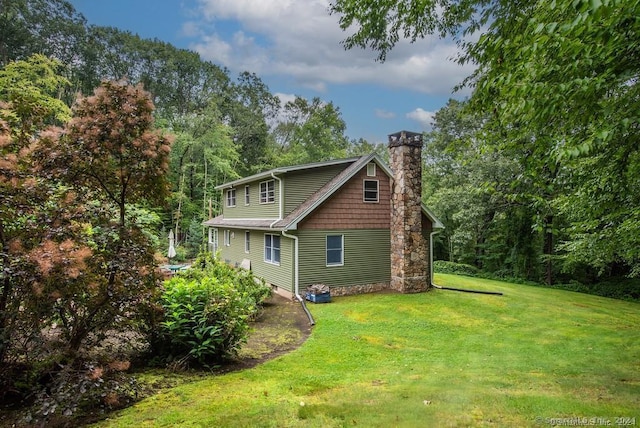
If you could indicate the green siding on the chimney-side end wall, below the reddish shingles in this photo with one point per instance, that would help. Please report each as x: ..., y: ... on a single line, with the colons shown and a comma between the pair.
x: 366, y: 258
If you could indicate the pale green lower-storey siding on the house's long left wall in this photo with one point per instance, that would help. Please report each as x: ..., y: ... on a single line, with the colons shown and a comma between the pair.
x: 278, y: 275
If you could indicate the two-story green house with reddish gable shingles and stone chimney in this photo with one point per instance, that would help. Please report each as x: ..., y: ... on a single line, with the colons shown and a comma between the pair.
x: 327, y: 222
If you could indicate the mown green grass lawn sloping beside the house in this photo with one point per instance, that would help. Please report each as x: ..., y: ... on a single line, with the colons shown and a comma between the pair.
x: 435, y: 359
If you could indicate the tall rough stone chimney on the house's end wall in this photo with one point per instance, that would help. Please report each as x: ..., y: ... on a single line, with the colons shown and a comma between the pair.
x: 409, y: 261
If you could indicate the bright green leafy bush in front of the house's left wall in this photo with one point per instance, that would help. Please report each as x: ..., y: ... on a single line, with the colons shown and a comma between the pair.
x: 207, y: 310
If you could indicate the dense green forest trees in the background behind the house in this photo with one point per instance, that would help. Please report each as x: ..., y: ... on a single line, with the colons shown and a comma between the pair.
x: 514, y: 202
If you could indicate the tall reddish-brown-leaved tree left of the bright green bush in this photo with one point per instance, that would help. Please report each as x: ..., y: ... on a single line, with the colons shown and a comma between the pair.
x: 112, y: 157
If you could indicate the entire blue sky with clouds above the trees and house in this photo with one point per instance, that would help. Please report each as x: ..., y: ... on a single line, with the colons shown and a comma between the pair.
x: 294, y: 46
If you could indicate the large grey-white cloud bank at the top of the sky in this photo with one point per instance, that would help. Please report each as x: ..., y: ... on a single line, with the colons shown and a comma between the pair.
x: 298, y: 38
